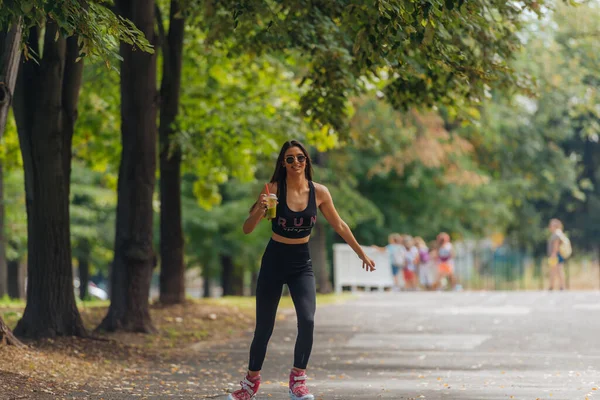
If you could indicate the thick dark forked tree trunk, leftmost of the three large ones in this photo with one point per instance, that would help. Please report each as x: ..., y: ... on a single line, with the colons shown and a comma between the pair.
x: 45, y: 111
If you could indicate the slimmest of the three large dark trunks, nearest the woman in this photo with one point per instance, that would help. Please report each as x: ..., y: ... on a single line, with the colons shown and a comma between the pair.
x: 172, y: 267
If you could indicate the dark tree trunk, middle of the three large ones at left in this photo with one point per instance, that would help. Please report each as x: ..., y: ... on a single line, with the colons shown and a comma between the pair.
x: 134, y: 257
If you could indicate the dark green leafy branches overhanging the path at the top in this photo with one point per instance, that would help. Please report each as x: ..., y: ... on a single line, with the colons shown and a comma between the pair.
x: 429, y: 52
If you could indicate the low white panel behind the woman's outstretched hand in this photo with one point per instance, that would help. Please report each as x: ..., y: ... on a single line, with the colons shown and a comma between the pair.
x: 348, y: 271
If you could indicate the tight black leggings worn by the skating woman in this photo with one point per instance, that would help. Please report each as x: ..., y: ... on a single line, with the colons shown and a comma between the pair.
x: 291, y: 264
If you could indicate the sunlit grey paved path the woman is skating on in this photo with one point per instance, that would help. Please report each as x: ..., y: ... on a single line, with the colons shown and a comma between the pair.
x: 467, y: 346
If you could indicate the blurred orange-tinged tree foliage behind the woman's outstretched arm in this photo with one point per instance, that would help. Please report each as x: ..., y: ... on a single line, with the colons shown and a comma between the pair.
x: 419, y: 177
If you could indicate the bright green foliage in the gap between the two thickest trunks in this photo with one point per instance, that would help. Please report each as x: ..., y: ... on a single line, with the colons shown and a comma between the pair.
x: 96, y: 156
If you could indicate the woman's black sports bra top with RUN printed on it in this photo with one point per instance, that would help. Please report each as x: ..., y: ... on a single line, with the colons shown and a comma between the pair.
x: 295, y: 224
